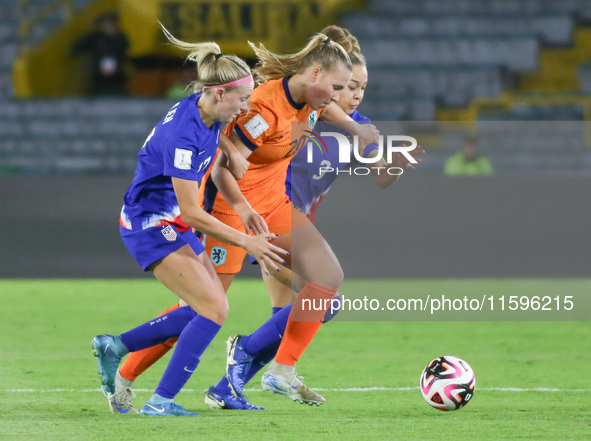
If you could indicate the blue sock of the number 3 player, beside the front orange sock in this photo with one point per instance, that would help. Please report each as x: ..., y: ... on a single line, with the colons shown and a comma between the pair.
x: 270, y: 334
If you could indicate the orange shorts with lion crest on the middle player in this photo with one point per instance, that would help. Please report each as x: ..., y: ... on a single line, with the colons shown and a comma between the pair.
x: 227, y: 259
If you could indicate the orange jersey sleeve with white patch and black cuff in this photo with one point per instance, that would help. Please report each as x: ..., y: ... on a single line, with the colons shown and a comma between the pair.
x: 255, y: 127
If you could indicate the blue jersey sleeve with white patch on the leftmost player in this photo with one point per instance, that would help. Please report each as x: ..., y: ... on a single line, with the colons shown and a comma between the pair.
x: 182, y: 159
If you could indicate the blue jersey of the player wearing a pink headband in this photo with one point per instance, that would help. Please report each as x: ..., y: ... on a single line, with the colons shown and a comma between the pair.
x: 180, y: 146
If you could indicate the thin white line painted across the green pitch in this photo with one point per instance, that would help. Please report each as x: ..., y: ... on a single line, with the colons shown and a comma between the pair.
x: 350, y: 389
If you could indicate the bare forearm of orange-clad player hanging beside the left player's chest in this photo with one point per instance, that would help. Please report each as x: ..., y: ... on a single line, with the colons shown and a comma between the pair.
x: 228, y: 187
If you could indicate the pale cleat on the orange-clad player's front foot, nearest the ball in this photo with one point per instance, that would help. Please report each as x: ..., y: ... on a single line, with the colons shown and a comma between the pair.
x: 289, y: 384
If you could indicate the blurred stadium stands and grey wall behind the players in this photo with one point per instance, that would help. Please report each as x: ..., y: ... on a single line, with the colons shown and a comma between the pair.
x: 67, y: 158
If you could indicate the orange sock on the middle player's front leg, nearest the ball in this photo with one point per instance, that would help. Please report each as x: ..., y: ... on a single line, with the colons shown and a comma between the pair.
x: 304, y: 321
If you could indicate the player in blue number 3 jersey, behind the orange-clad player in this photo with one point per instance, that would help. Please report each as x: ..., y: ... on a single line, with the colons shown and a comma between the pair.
x: 306, y: 188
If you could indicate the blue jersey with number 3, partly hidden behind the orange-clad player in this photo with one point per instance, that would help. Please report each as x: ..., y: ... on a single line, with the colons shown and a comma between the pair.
x: 305, y: 184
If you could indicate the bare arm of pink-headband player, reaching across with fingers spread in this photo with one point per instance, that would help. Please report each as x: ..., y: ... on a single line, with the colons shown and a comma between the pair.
x: 187, y: 194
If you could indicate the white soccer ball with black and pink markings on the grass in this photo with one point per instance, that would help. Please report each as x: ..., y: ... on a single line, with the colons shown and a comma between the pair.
x: 448, y: 383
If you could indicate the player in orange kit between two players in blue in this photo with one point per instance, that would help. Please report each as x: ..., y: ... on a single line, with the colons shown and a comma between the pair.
x: 320, y: 73
